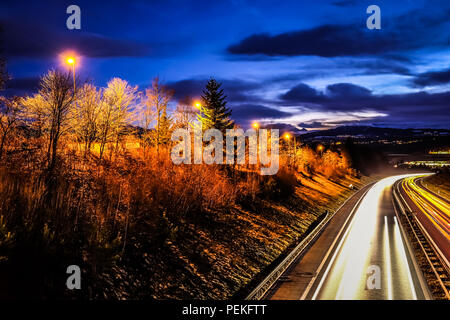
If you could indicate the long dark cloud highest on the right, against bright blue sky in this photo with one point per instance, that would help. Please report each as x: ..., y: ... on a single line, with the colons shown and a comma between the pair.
x: 408, y: 32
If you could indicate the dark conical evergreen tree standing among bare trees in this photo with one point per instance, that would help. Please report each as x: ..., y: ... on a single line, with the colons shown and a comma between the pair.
x: 215, y: 114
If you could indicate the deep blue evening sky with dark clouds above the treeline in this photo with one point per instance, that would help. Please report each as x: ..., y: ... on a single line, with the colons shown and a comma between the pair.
x: 311, y: 64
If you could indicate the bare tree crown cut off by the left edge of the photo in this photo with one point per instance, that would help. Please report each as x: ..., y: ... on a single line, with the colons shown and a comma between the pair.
x: 10, y: 112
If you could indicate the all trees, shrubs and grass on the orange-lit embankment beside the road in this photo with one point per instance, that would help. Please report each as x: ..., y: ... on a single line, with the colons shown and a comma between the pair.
x: 86, y: 178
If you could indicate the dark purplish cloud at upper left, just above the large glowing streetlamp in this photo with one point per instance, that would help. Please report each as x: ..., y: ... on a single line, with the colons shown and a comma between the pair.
x: 35, y: 41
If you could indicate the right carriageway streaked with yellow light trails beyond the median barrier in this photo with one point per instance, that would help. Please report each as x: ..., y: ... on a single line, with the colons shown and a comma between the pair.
x: 432, y: 211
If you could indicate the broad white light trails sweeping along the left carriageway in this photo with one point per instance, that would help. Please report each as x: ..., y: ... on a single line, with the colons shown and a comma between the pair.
x: 372, y: 241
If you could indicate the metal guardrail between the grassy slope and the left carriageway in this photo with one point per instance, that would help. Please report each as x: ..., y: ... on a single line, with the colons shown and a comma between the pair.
x: 265, y: 285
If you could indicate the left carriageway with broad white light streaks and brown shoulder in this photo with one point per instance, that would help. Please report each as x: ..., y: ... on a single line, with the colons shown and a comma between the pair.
x: 368, y: 258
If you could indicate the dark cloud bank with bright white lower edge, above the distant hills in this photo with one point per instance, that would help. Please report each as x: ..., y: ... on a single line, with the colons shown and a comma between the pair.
x: 347, y: 98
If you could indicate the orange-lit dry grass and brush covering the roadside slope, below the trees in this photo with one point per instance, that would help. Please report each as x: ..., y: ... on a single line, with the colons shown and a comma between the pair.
x: 142, y: 227
